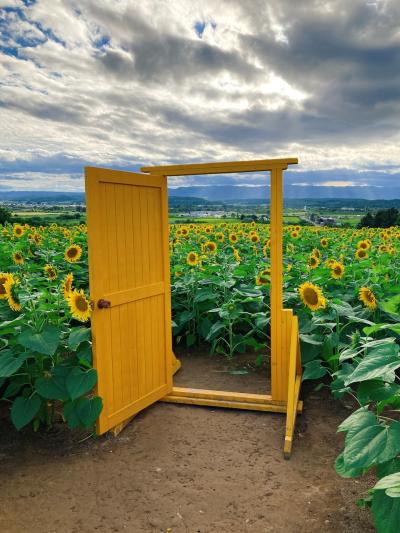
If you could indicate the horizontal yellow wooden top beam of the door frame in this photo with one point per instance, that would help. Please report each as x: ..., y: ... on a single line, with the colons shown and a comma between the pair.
x: 218, y: 168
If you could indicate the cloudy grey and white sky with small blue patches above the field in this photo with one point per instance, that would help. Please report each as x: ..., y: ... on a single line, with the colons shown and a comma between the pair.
x: 125, y: 83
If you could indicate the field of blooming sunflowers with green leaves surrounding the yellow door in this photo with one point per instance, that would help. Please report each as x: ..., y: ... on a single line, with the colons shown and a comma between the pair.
x: 342, y: 283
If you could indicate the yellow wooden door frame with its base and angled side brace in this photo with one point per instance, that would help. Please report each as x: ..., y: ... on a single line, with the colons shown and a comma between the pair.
x: 285, y: 347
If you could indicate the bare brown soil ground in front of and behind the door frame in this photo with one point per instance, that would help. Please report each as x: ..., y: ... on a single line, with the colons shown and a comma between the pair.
x: 184, y: 469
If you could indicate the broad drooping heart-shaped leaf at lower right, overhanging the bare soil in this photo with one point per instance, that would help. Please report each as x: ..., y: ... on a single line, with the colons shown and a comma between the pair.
x: 365, y: 446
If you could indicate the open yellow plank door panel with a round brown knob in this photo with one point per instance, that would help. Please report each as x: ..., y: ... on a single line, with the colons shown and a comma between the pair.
x: 127, y: 217
